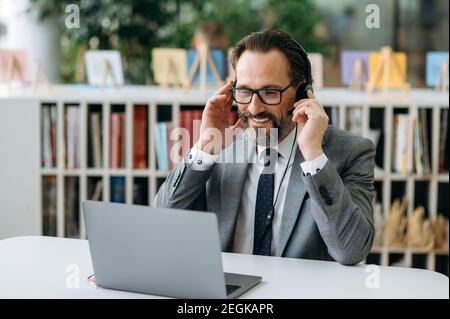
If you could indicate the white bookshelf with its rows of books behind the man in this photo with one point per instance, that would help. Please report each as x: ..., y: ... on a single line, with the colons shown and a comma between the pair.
x: 101, y: 169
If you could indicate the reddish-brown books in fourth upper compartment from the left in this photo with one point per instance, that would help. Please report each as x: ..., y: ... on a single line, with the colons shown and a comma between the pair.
x: 117, y: 138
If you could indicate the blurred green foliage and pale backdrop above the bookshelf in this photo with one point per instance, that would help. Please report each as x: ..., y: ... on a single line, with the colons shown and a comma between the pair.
x: 134, y: 27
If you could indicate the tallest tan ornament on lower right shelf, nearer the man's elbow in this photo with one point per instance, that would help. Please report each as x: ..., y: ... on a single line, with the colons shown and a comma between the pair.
x: 396, y: 224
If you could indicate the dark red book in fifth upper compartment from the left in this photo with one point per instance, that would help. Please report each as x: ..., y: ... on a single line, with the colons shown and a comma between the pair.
x: 140, y: 136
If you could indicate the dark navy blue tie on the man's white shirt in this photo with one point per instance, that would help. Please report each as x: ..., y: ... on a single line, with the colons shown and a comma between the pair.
x: 264, y: 206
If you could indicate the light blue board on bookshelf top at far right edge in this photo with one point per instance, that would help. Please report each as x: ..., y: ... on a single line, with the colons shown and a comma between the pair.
x: 437, y: 70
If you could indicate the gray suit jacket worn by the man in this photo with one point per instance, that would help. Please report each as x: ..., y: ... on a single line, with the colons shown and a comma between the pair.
x: 326, y: 216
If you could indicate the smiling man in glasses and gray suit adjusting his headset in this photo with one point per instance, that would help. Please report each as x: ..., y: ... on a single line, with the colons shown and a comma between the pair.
x: 316, y: 204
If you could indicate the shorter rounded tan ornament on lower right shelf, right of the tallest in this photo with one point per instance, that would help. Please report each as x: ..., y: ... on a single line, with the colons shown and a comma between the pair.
x: 420, y: 230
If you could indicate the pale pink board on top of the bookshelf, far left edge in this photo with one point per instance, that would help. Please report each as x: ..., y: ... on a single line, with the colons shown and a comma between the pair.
x: 13, y: 66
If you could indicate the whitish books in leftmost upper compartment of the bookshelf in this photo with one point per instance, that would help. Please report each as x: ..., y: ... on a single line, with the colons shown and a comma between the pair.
x: 48, y: 136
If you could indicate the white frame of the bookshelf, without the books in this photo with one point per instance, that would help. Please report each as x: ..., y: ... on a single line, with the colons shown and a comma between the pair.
x: 338, y: 99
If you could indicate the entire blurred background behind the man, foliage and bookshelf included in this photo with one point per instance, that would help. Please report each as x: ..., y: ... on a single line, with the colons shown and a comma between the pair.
x: 77, y: 142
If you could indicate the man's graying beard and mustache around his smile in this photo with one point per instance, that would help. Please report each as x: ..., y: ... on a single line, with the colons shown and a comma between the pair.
x: 268, y: 137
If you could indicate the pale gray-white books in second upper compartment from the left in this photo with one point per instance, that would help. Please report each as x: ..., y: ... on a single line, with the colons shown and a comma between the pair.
x: 73, y: 136
